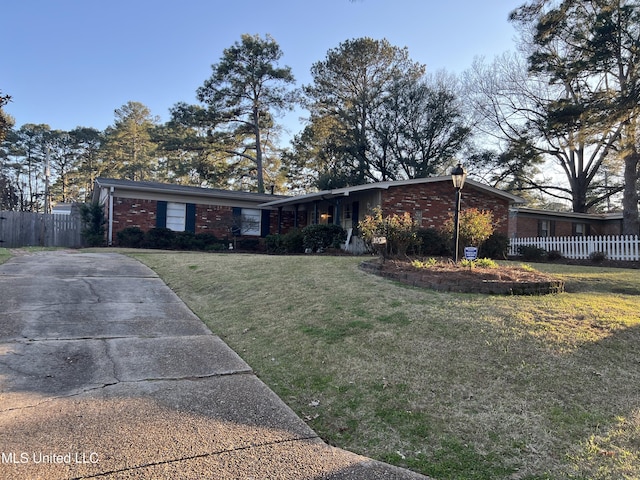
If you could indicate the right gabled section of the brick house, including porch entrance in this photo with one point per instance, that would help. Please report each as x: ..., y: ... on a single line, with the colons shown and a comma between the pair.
x: 429, y: 201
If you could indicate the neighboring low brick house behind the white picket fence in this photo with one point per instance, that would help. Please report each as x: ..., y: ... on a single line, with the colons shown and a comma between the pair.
x: 529, y: 222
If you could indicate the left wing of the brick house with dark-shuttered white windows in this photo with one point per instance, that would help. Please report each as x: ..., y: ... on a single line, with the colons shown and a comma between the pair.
x: 147, y: 205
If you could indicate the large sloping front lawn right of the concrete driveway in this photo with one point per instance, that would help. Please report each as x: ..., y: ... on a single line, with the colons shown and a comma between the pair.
x: 455, y: 386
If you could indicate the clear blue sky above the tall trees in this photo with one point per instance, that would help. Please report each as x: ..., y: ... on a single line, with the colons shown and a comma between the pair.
x: 70, y: 63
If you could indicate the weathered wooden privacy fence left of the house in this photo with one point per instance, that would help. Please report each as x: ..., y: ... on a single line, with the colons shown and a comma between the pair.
x: 24, y: 229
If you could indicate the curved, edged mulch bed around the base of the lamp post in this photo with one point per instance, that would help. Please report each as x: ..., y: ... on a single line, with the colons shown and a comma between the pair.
x: 448, y: 277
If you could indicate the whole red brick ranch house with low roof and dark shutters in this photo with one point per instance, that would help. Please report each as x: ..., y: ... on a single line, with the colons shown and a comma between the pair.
x: 146, y: 205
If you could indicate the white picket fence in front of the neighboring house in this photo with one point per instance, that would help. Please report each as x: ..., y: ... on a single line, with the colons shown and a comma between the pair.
x: 620, y: 247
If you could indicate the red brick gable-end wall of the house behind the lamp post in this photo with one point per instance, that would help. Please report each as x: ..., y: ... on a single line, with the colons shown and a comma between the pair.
x: 436, y: 201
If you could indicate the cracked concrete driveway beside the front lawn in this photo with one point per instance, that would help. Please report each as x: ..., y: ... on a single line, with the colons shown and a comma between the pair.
x: 105, y: 373
